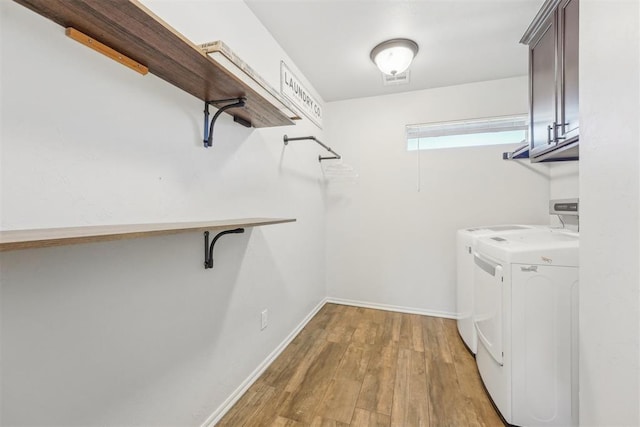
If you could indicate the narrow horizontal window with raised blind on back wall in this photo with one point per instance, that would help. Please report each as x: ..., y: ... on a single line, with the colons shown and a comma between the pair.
x: 468, y: 133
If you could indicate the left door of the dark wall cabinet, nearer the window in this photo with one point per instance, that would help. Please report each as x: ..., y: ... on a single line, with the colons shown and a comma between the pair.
x: 542, y: 62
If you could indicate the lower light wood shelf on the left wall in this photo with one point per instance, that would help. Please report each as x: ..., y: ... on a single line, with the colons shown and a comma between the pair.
x: 46, y: 237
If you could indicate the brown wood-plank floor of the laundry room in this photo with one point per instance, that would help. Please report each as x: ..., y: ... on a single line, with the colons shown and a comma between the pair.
x: 361, y: 367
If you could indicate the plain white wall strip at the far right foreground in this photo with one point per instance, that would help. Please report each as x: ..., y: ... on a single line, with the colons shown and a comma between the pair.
x: 609, y: 196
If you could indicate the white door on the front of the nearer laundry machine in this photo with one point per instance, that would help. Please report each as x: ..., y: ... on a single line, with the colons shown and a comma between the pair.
x: 488, y: 305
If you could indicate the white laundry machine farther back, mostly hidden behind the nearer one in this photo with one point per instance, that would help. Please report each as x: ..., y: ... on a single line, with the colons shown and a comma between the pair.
x: 466, y: 239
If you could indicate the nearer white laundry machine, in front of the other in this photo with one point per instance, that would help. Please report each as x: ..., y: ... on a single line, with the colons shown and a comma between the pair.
x: 525, y: 315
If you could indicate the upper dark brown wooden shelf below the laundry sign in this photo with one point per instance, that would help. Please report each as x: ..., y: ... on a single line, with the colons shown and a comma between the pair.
x: 131, y: 29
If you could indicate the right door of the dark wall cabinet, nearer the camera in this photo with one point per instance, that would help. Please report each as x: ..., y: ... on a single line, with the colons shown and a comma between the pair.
x: 568, y: 99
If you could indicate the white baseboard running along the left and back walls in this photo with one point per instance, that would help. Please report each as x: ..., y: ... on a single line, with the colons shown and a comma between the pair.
x: 237, y: 394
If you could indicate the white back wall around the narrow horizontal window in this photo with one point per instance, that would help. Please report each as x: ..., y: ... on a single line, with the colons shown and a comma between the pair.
x: 391, y: 244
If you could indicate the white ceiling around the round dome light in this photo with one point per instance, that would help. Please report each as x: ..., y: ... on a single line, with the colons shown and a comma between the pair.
x: 461, y: 41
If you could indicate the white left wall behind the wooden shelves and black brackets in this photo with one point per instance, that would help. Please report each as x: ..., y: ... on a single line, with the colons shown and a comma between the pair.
x: 137, y: 332
